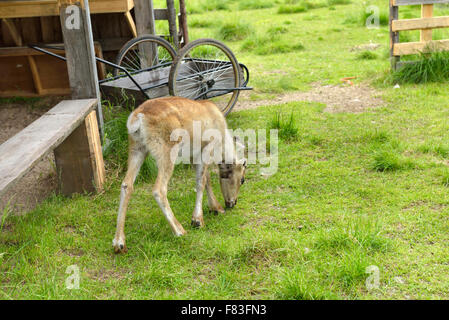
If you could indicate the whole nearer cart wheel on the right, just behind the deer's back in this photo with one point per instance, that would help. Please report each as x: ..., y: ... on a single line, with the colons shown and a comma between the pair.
x: 206, y: 69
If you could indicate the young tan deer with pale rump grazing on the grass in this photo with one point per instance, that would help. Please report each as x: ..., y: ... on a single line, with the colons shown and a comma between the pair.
x: 150, y: 129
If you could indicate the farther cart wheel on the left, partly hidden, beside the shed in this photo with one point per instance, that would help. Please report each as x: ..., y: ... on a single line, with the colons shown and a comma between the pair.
x: 144, y: 52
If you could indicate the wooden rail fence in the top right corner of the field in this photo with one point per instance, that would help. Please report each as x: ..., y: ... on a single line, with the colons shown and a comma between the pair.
x: 425, y: 24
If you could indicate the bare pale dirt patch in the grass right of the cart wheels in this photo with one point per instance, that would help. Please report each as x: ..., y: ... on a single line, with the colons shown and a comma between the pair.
x: 337, y: 98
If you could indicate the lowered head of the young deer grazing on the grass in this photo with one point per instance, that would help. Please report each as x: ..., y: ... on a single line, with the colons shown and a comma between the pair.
x: 232, y: 176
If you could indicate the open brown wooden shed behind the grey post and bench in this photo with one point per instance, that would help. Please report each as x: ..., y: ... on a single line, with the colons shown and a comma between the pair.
x: 26, y: 72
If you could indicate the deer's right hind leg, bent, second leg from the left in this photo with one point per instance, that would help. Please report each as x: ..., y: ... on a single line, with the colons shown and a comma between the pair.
x: 165, y: 169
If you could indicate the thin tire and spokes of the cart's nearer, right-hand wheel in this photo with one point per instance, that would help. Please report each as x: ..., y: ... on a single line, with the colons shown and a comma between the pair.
x: 185, y: 55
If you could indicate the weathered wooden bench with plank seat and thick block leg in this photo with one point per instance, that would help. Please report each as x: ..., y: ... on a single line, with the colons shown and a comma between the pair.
x: 69, y: 129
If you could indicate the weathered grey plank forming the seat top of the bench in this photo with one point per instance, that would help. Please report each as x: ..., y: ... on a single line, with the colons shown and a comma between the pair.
x: 22, y: 151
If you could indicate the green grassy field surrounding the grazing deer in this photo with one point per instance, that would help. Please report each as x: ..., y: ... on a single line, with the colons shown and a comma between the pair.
x: 352, y: 190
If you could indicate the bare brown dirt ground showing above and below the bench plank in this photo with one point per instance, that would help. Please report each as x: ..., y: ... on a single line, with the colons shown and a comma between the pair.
x: 40, y: 182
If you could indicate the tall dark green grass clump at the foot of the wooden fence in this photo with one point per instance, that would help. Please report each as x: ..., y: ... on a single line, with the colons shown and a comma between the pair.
x: 430, y: 67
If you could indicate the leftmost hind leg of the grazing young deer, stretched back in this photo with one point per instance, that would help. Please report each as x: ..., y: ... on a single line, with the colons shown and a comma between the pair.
x: 135, y: 160
